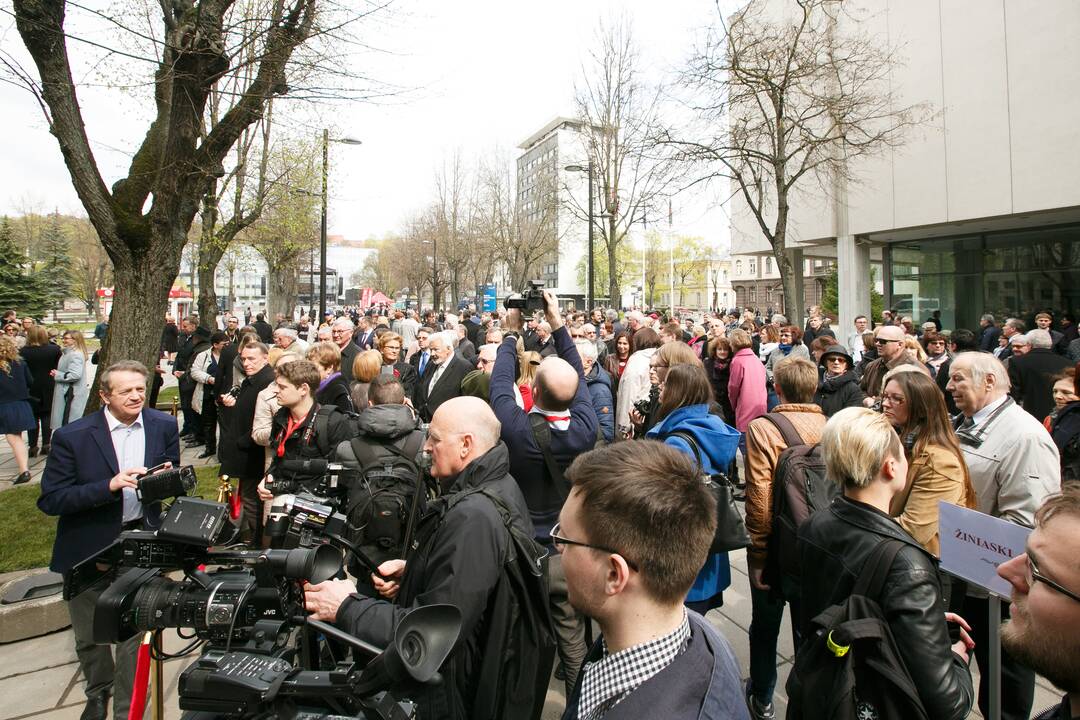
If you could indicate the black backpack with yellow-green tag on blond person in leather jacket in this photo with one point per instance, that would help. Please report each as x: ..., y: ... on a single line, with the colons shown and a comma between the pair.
x: 849, y: 668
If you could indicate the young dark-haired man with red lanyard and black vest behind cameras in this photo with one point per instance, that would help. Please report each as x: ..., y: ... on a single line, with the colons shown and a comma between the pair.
x: 298, y: 432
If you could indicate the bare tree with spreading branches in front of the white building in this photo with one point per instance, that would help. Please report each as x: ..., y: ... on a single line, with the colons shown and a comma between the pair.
x: 782, y: 100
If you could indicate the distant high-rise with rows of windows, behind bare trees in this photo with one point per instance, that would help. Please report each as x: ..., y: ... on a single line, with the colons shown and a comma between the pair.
x: 544, y: 185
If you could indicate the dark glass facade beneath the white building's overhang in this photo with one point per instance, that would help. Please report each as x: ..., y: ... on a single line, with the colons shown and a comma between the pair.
x: 1009, y: 275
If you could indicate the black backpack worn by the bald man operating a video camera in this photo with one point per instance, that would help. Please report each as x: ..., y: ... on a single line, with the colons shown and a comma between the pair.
x: 521, y: 633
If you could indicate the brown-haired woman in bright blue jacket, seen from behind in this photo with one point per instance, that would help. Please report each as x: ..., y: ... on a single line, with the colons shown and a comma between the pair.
x: 685, y: 423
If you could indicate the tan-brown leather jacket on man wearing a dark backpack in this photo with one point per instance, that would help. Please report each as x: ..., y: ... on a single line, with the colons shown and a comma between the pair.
x: 764, y: 446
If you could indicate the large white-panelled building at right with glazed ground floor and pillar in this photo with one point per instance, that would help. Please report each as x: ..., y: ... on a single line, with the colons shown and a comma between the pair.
x: 979, y: 212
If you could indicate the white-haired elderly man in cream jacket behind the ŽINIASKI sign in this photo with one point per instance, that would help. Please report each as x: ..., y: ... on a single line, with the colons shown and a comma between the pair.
x: 1015, y: 468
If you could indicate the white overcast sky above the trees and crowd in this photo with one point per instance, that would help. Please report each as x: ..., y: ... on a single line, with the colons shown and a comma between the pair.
x: 478, y: 77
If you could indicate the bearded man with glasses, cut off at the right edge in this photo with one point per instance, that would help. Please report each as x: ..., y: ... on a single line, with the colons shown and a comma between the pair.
x: 1046, y: 601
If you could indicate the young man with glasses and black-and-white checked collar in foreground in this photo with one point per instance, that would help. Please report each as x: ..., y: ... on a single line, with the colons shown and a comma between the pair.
x: 655, y: 658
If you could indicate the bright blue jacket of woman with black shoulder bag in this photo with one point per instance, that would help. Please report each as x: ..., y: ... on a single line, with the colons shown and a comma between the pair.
x: 718, y: 443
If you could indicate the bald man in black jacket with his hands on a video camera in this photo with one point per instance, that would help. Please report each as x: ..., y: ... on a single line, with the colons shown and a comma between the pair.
x: 461, y: 559
